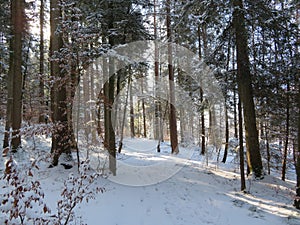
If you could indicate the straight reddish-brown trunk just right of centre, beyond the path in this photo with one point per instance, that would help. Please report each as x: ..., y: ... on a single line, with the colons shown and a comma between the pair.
x: 172, y: 116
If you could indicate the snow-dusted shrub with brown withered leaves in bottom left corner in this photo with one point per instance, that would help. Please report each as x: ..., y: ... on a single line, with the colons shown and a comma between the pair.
x: 23, y: 200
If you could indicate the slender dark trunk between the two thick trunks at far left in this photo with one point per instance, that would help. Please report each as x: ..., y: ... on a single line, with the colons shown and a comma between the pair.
x: 42, y: 116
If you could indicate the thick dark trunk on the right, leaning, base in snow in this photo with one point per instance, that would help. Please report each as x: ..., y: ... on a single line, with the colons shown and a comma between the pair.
x: 245, y: 90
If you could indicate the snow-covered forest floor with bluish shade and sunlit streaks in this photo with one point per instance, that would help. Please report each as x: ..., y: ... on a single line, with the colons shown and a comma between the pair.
x: 156, y: 188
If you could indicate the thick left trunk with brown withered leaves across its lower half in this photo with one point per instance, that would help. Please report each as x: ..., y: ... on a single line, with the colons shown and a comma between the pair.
x: 62, y: 135
